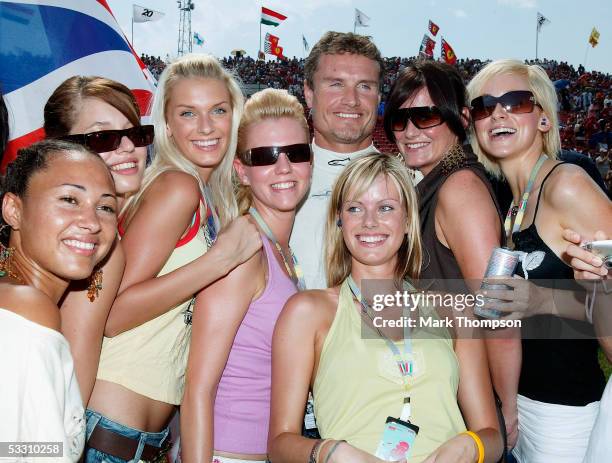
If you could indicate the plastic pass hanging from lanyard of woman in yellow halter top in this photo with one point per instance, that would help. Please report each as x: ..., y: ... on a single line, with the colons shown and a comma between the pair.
x: 398, y: 437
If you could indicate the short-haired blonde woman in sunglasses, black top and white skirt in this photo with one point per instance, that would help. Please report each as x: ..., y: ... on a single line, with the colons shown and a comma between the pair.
x: 514, y: 109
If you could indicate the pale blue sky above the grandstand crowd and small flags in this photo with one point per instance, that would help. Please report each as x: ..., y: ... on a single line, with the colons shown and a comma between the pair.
x: 474, y: 28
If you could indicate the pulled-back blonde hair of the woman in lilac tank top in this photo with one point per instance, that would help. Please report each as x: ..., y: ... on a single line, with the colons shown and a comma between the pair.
x: 266, y: 104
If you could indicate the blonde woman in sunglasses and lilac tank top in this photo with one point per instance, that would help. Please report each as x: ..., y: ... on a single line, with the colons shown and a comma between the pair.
x: 225, y: 410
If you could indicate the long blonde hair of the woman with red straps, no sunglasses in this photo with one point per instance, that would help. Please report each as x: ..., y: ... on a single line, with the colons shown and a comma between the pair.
x: 166, y: 154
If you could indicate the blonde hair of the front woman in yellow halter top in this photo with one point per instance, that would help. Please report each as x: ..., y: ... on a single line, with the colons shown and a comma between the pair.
x: 355, y: 179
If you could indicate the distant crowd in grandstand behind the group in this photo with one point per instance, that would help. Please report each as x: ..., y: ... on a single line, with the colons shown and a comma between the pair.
x: 585, y: 98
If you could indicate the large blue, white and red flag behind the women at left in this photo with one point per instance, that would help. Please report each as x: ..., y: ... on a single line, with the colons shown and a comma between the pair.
x: 44, y: 42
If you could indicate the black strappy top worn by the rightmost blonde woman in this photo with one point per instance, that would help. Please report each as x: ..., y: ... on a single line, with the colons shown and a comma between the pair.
x: 554, y: 370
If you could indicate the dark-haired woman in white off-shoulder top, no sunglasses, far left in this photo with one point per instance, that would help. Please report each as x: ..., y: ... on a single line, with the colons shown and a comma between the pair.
x: 58, y: 221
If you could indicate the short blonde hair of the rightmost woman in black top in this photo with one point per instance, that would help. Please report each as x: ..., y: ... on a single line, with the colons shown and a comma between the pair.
x: 545, y: 95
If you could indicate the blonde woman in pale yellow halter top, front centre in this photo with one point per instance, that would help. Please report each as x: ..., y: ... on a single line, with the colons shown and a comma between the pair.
x: 373, y: 233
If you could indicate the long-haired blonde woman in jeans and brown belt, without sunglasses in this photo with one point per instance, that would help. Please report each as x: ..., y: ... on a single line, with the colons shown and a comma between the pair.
x: 167, y: 229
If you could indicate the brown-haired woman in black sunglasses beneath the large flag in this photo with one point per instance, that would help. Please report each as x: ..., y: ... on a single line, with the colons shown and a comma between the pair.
x: 102, y: 115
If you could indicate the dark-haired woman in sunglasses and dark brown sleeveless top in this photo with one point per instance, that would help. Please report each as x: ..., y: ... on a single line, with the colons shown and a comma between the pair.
x: 426, y: 115
